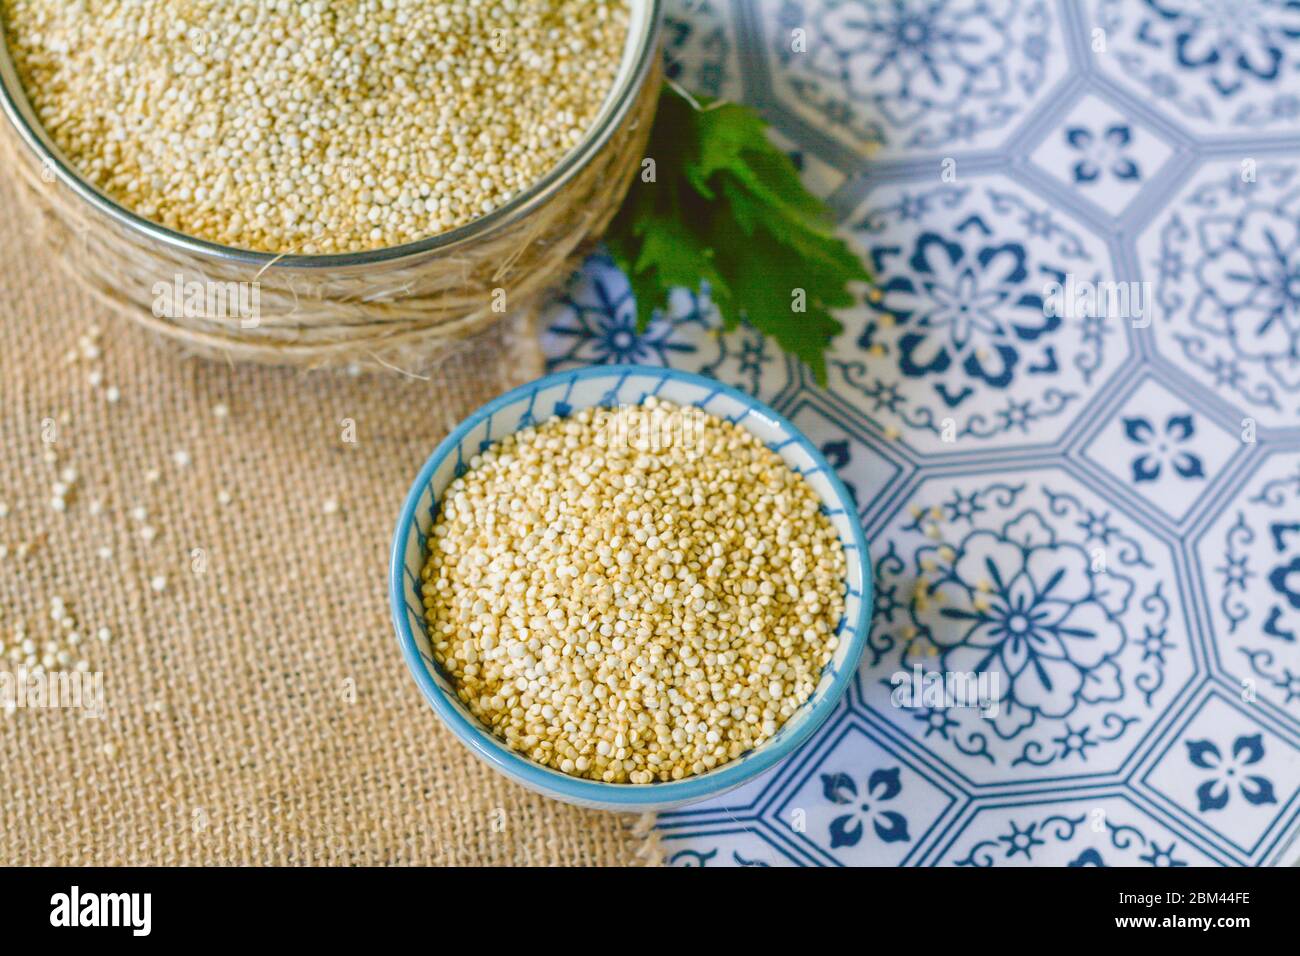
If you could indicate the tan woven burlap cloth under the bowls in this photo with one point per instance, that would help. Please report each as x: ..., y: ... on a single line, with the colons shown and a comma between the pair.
x: 259, y: 711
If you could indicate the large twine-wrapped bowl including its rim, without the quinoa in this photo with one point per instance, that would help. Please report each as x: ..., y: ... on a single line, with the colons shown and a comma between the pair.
x: 401, y: 308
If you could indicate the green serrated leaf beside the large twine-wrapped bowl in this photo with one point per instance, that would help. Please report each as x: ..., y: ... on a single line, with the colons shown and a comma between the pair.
x: 726, y: 209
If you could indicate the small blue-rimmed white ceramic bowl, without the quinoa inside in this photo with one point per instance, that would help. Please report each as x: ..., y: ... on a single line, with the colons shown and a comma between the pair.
x: 613, y: 386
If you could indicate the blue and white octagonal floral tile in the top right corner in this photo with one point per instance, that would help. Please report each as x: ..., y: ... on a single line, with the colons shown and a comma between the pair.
x: 1217, y: 70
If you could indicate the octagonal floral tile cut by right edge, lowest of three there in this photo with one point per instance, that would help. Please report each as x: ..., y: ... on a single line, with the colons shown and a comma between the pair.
x: 1250, y: 564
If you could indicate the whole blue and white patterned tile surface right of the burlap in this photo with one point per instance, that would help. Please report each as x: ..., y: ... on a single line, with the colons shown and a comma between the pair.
x: 1172, y: 453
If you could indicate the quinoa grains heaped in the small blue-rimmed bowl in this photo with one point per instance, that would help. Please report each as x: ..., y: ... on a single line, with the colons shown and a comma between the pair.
x: 634, y: 595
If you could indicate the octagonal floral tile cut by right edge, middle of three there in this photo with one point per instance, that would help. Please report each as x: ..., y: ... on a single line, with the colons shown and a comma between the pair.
x: 1224, y: 259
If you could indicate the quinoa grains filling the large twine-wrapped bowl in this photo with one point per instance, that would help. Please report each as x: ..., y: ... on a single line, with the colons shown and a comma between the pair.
x: 315, y: 127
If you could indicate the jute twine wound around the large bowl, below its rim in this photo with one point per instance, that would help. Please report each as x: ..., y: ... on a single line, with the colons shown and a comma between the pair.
x: 404, y: 314
